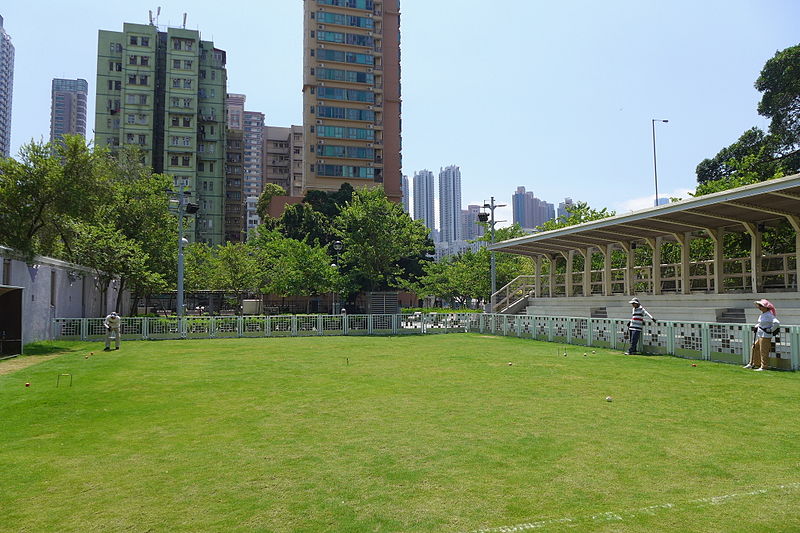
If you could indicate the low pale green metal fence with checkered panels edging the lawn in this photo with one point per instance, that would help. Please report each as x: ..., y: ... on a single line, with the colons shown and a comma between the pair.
x: 728, y: 343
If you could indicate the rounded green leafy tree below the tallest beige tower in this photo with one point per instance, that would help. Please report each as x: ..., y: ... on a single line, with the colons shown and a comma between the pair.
x: 377, y: 236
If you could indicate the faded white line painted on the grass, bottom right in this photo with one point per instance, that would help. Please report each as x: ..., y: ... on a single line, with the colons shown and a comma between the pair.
x: 617, y: 516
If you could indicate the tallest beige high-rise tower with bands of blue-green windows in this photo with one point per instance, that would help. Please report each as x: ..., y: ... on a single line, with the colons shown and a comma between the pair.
x: 351, y: 94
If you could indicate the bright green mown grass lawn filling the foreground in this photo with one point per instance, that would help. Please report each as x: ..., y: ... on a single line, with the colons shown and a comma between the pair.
x: 418, y: 433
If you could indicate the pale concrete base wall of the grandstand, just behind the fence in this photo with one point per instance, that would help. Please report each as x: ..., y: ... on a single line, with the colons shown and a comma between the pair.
x: 690, y: 307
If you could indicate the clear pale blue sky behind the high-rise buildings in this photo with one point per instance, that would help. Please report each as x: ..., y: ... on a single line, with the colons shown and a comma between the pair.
x: 557, y: 97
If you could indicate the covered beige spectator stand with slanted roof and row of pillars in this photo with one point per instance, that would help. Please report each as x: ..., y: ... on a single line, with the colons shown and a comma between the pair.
x: 716, y: 289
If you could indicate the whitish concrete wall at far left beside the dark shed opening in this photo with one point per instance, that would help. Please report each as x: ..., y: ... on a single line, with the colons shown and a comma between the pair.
x: 54, y: 288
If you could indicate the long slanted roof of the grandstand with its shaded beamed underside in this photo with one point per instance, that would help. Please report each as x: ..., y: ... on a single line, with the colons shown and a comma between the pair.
x: 760, y: 203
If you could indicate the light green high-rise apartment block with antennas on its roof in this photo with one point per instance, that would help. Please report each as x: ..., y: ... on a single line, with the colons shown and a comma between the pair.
x: 165, y: 93
